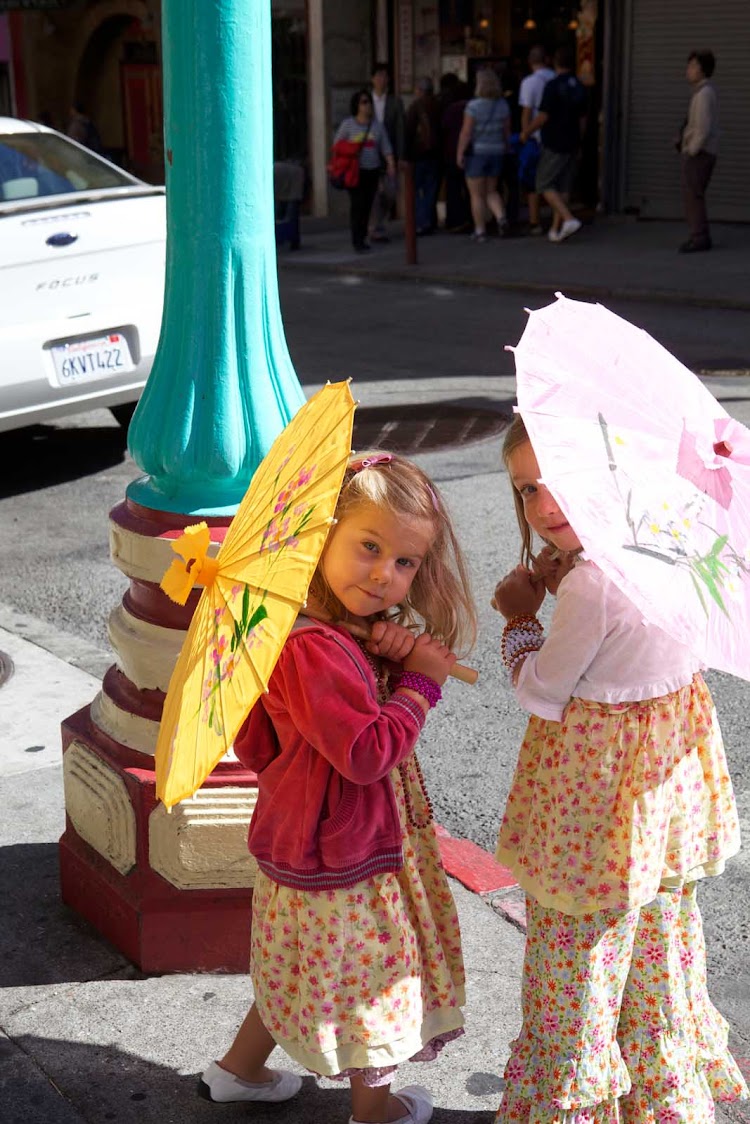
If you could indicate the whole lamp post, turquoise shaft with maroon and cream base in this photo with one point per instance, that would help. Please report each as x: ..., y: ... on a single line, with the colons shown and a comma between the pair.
x: 174, y: 893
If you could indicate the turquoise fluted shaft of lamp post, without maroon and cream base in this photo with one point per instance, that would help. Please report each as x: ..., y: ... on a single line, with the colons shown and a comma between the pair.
x: 223, y: 386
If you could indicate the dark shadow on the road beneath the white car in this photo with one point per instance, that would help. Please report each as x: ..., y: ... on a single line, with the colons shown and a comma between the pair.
x: 43, y: 456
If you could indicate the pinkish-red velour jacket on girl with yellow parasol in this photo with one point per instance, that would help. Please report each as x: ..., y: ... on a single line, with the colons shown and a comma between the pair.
x: 323, y: 748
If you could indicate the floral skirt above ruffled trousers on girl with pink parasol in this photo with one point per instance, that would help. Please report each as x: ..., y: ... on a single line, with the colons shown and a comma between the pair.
x: 619, y: 801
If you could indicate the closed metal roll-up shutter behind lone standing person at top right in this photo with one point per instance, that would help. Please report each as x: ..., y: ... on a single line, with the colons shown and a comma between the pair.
x: 663, y: 33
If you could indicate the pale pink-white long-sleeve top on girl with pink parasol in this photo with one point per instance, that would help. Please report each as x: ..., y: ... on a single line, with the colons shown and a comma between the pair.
x: 600, y: 648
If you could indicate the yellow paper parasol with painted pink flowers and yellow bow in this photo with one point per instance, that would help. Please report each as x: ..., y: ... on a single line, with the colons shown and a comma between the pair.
x: 254, y: 591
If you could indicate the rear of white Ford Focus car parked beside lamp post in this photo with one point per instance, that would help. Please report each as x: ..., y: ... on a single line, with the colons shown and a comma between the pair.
x: 82, y: 278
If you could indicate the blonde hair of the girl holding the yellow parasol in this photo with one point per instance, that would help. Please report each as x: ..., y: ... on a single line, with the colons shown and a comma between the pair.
x: 440, y: 597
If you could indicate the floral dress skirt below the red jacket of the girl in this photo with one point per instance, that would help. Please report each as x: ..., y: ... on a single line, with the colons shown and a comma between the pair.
x: 363, y: 980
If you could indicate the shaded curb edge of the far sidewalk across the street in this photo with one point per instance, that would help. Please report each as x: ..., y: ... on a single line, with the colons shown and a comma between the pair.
x: 611, y: 293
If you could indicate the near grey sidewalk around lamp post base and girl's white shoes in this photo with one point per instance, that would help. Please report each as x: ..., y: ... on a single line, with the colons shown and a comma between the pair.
x: 87, y: 1038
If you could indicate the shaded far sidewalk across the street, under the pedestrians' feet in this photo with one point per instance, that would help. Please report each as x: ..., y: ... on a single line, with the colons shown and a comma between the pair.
x: 615, y: 257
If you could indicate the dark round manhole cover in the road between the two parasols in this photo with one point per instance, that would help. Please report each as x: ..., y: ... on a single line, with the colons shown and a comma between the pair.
x: 427, y: 427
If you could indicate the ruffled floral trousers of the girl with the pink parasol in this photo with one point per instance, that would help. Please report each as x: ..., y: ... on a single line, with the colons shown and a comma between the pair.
x: 618, y: 1026
